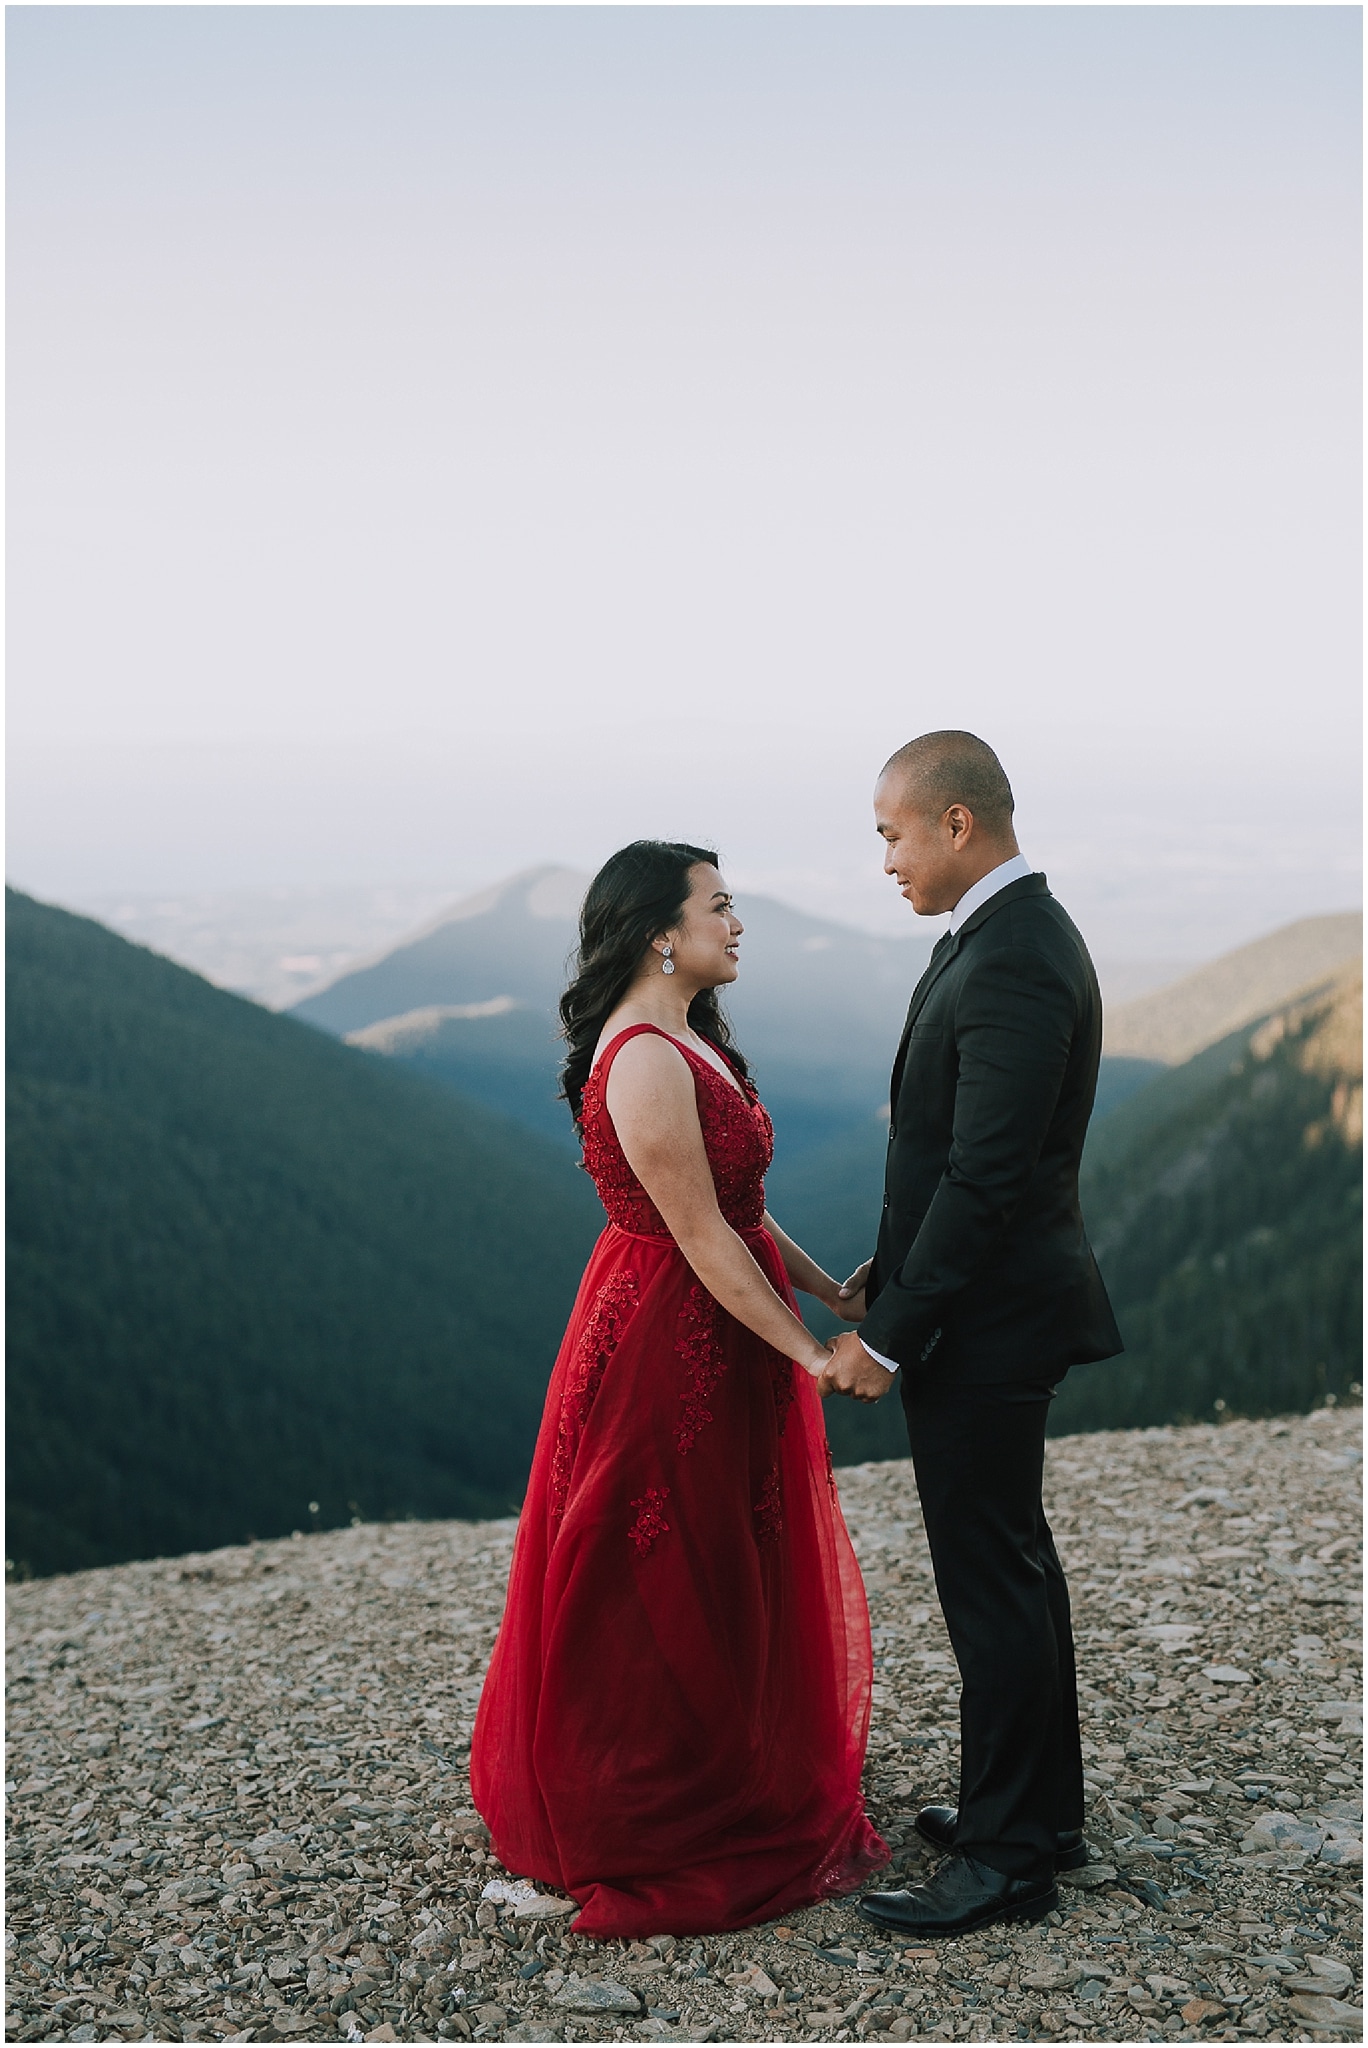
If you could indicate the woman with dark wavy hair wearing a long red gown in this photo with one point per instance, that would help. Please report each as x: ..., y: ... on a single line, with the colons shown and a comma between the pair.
x: 675, y: 1719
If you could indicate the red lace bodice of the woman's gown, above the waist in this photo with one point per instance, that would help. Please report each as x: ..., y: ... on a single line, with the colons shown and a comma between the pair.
x: 736, y: 1134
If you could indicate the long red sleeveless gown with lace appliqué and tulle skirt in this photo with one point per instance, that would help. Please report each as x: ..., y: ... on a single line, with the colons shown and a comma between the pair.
x: 675, y: 1719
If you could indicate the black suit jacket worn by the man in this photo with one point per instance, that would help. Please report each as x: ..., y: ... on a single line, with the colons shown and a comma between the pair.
x: 984, y: 1263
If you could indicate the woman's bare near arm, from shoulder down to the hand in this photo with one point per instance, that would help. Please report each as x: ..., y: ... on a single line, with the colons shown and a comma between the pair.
x: 656, y: 1117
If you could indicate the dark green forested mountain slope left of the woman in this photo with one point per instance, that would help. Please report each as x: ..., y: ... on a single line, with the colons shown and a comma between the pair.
x: 253, y: 1269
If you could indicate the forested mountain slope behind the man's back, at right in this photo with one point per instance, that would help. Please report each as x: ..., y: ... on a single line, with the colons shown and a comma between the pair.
x: 1226, y: 1207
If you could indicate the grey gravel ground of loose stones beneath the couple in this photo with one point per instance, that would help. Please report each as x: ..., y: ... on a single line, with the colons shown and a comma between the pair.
x: 239, y: 1799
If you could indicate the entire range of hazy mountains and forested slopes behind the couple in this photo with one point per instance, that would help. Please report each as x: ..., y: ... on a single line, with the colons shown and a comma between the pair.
x: 267, y: 1279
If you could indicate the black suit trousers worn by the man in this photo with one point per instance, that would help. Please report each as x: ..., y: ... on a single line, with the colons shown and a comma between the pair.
x: 980, y: 1461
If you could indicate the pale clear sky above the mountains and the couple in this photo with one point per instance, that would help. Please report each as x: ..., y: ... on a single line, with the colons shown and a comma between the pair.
x: 445, y: 439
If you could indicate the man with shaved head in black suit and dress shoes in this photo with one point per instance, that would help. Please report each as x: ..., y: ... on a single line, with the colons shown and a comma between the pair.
x: 982, y: 1293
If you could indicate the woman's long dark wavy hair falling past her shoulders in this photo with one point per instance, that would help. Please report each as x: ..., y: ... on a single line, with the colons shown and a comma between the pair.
x: 636, y: 896
